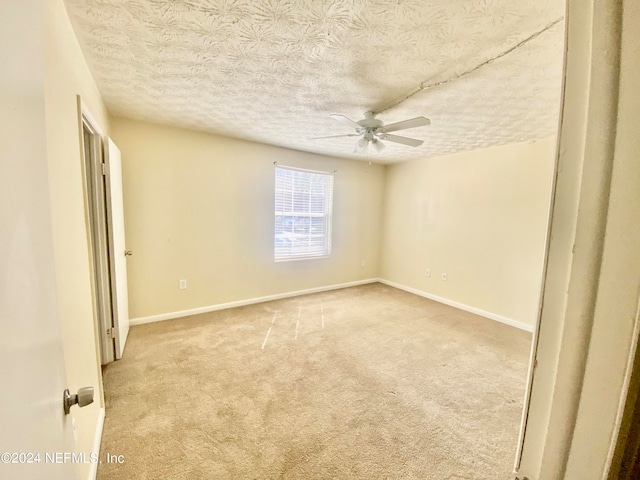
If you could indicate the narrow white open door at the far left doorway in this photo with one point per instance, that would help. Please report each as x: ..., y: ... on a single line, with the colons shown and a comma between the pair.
x: 117, y: 247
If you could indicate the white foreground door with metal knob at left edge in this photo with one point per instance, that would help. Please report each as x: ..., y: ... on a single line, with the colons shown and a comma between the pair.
x: 32, y: 374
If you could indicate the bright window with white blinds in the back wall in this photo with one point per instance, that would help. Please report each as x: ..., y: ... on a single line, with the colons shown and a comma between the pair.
x: 303, y: 214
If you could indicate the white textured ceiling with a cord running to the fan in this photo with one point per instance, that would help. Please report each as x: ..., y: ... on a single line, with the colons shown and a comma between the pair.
x: 272, y: 71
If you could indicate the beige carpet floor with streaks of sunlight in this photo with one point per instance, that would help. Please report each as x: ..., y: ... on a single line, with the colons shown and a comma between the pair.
x: 368, y: 382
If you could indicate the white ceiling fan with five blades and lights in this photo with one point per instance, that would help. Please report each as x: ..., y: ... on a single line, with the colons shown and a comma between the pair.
x: 372, y: 131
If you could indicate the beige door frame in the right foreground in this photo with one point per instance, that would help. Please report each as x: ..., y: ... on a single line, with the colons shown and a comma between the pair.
x: 588, y: 327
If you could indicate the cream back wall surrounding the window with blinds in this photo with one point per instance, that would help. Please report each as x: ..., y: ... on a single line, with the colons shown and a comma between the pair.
x: 200, y: 207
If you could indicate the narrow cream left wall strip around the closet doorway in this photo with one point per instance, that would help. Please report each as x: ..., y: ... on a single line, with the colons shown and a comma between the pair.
x: 67, y: 75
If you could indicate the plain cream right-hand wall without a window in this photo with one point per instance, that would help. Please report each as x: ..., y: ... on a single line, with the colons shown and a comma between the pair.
x: 478, y: 216
